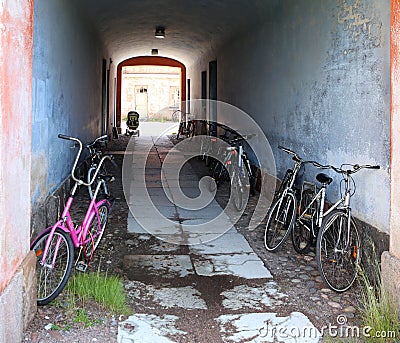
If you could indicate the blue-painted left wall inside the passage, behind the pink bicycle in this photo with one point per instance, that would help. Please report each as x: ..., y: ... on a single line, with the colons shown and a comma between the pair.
x: 67, y: 74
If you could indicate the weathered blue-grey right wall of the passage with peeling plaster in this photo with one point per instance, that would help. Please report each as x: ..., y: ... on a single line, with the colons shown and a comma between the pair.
x: 315, y: 76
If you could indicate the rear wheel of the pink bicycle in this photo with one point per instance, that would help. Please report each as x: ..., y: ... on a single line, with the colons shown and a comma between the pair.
x: 95, y: 231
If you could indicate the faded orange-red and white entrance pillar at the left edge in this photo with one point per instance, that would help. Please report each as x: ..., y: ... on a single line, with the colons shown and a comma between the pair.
x: 15, y: 127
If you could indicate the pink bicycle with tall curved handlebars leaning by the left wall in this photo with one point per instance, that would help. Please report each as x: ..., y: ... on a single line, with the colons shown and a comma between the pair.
x: 55, y: 246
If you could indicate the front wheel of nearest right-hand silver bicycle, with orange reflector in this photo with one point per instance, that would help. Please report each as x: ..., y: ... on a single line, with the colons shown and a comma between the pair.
x: 338, y: 261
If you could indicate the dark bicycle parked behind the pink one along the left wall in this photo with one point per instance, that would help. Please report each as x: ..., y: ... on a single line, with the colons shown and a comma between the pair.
x: 96, y: 149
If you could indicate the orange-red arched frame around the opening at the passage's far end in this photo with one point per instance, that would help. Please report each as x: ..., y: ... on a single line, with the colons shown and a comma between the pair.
x: 147, y: 60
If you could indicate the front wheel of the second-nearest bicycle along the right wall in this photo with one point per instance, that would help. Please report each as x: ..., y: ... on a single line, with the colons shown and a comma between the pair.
x: 280, y: 220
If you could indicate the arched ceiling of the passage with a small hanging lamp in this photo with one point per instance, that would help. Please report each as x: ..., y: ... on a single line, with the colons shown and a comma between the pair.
x: 192, y: 27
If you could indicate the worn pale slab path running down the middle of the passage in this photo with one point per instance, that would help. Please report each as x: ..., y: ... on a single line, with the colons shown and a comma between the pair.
x: 211, y: 286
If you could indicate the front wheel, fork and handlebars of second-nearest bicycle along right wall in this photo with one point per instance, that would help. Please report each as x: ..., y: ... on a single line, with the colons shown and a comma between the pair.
x: 282, y: 213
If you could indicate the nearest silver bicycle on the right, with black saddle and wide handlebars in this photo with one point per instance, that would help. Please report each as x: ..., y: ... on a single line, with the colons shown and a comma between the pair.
x: 338, y: 249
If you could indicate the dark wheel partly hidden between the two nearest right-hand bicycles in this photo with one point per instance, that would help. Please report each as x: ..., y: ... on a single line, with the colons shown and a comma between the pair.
x: 302, y: 233
